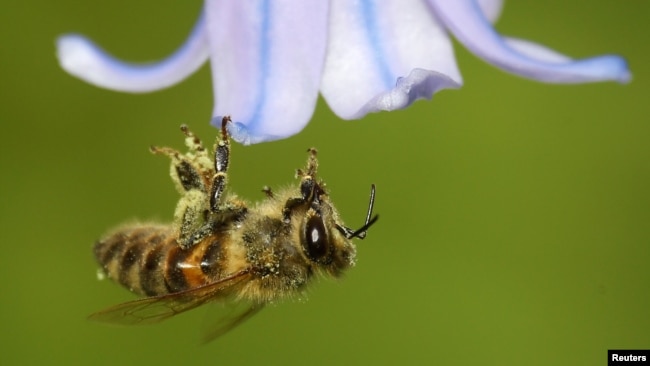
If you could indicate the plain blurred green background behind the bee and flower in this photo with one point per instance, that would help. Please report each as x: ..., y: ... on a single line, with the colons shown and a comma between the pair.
x: 514, y: 215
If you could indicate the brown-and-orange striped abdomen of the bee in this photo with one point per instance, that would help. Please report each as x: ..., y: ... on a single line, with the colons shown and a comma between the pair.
x: 149, y: 261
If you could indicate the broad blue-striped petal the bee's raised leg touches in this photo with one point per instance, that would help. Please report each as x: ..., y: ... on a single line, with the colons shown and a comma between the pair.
x: 267, y: 59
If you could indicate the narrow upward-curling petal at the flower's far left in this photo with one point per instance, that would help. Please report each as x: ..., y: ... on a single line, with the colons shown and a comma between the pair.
x: 83, y: 59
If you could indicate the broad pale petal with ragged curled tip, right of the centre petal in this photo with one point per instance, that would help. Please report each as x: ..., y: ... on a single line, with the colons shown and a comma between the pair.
x: 374, y: 43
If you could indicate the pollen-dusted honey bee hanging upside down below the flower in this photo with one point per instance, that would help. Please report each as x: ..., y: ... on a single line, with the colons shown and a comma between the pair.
x: 220, y: 249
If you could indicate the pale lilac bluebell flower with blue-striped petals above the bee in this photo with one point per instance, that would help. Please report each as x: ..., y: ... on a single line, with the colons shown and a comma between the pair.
x: 270, y: 59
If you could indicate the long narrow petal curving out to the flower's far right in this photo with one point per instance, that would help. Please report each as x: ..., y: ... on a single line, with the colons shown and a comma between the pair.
x: 464, y: 18
